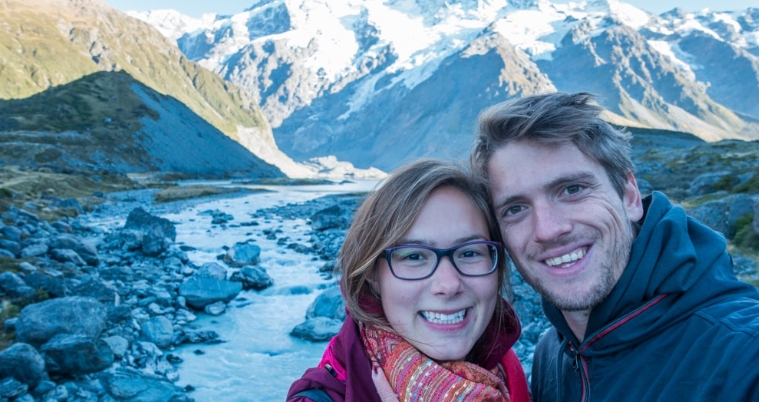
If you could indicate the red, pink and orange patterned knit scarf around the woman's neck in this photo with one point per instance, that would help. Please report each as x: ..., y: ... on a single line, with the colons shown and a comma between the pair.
x: 416, y: 377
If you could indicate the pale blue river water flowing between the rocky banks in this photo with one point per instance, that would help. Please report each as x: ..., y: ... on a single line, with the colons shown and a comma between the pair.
x: 259, y: 360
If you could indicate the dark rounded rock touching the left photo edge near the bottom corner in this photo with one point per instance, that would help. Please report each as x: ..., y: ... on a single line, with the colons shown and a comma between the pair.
x: 22, y: 362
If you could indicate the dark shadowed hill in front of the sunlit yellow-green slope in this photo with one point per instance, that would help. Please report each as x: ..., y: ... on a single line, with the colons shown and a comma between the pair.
x: 109, y: 121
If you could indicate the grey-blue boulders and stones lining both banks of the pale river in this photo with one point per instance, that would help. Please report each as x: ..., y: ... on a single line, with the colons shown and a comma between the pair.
x: 93, y: 314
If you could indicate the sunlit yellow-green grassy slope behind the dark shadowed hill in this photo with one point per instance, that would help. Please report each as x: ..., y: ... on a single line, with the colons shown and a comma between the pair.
x: 47, y: 43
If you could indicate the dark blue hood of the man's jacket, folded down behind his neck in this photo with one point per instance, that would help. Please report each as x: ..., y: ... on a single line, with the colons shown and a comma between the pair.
x: 677, y: 265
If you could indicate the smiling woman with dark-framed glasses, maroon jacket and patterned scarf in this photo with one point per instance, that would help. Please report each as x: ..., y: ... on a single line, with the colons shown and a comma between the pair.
x: 423, y: 273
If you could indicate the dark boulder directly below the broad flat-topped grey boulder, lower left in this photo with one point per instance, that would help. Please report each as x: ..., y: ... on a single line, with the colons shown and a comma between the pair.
x: 76, y: 354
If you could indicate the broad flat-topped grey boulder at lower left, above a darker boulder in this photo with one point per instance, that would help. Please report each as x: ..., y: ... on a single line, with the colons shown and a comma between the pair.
x: 40, y: 322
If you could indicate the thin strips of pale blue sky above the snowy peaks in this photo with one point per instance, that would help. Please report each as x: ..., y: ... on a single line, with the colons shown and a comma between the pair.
x: 197, y: 8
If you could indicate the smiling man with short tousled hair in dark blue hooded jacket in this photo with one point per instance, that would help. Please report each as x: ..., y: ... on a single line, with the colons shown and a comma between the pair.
x: 643, y: 299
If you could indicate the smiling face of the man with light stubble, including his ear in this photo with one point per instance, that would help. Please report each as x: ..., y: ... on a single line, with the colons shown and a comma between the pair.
x: 562, y: 221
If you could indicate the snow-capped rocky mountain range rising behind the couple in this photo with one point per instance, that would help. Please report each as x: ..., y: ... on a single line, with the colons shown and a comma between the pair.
x: 381, y: 82
